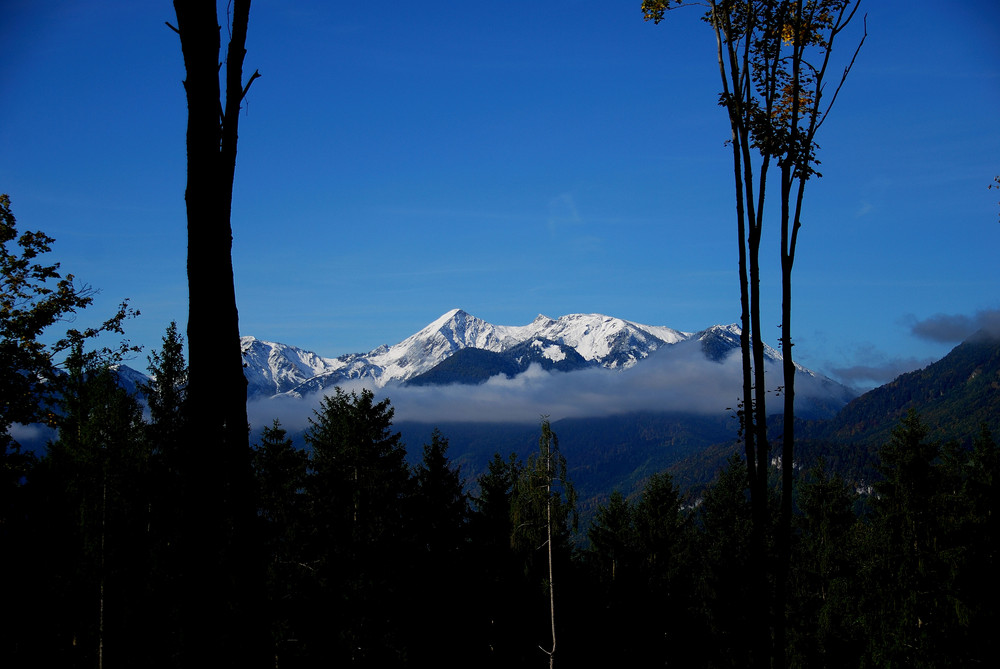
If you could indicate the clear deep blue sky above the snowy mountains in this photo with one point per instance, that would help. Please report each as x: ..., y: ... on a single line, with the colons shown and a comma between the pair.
x: 399, y: 159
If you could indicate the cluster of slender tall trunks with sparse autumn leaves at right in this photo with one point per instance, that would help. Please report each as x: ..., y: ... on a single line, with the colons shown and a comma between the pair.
x: 773, y: 58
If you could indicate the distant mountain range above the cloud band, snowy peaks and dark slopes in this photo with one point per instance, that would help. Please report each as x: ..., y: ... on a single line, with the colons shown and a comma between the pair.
x: 458, y: 348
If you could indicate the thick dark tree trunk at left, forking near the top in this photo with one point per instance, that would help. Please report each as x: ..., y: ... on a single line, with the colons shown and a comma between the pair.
x: 217, y: 504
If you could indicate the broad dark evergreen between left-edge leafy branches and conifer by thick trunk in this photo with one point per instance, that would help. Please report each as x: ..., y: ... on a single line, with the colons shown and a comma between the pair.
x: 97, y: 529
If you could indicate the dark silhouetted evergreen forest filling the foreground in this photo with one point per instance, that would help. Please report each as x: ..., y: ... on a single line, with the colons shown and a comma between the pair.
x: 370, y: 562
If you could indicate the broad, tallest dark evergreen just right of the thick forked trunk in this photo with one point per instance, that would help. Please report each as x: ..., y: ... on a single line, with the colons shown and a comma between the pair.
x: 359, y: 490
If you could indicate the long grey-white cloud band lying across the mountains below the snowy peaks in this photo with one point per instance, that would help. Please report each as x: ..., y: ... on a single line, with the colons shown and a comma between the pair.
x: 672, y: 379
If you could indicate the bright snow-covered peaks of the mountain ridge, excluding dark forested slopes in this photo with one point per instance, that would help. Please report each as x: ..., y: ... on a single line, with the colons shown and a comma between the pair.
x: 601, y: 340
